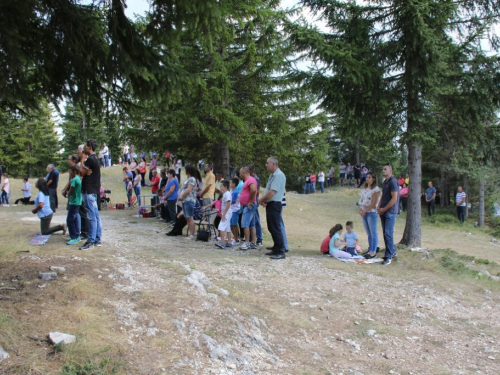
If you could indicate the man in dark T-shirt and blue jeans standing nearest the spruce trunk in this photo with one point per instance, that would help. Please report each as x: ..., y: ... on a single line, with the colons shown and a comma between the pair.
x: 388, y: 211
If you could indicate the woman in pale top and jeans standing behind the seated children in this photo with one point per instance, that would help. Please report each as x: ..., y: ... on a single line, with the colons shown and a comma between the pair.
x: 368, y: 210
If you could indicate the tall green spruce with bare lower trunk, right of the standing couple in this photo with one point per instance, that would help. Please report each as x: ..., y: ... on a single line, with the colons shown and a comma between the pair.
x: 397, y: 63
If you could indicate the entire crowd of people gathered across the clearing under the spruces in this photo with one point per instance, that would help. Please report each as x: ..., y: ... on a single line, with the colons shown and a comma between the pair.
x: 236, y: 200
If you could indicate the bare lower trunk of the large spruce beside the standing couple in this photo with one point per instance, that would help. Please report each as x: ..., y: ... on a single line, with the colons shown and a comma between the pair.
x: 412, y: 235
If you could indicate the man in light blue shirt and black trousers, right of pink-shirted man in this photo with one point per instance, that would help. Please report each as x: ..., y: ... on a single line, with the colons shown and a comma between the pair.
x: 271, y: 200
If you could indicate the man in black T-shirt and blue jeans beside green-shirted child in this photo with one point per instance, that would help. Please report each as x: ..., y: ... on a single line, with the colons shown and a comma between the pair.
x: 91, y: 183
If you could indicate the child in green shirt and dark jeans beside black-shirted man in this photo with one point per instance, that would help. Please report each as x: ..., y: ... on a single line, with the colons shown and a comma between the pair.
x: 73, y: 219
